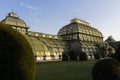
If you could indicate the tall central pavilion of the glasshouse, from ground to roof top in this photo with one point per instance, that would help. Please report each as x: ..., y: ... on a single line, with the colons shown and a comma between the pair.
x: 82, y: 39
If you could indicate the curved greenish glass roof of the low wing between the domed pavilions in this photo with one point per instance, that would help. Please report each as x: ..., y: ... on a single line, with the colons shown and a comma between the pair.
x: 45, y: 45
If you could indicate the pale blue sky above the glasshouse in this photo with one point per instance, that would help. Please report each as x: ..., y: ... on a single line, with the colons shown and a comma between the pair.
x: 48, y: 16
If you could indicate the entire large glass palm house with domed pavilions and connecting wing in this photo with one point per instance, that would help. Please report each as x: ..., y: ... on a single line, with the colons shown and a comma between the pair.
x: 75, y: 41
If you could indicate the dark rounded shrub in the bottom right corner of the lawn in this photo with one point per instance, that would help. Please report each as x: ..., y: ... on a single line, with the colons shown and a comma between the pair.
x: 106, y: 69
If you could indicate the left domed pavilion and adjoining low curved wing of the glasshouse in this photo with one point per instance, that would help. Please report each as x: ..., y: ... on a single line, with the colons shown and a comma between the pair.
x: 46, y: 47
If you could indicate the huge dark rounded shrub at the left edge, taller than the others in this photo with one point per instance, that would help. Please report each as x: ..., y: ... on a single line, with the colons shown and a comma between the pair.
x: 16, y: 57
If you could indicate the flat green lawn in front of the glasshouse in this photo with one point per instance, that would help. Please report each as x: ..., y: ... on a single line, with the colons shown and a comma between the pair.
x: 64, y: 70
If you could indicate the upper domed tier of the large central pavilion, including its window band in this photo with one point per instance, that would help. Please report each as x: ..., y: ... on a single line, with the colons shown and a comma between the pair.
x: 80, y: 29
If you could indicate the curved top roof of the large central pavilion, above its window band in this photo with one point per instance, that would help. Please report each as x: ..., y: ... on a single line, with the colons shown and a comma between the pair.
x: 79, y: 26
